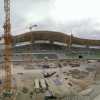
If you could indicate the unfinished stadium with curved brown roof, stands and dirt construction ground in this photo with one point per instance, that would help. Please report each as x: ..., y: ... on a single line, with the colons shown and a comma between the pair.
x: 61, y: 68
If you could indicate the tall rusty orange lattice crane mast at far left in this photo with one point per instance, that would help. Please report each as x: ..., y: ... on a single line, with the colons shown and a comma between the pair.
x: 8, y: 47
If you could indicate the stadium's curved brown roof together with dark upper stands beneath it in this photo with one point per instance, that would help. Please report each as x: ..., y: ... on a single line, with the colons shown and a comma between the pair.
x: 56, y: 43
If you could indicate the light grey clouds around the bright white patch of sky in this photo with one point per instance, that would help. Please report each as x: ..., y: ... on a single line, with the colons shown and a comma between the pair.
x: 85, y: 28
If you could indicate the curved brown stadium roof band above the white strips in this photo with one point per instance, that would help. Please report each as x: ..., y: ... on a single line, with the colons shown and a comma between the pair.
x: 55, y: 37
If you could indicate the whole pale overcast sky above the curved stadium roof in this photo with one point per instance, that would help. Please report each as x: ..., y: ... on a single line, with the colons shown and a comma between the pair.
x: 81, y: 17
